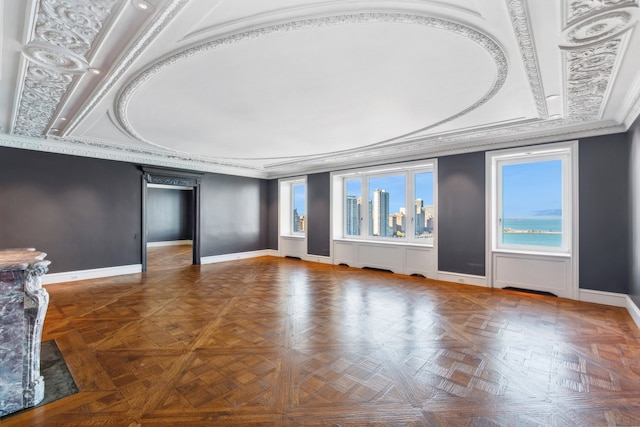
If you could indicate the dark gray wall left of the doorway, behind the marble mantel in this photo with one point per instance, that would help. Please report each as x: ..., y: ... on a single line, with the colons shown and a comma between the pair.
x: 84, y: 213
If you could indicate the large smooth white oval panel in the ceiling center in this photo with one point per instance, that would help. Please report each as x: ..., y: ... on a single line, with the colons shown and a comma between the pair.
x: 314, y: 86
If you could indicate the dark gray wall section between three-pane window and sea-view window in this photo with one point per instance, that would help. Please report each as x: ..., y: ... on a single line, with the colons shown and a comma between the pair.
x: 461, y: 213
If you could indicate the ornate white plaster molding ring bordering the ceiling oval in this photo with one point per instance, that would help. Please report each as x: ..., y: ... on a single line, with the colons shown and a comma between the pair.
x: 484, y: 41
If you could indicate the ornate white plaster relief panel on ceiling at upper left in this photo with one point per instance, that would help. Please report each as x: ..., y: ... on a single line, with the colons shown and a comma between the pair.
x: 61, y: 41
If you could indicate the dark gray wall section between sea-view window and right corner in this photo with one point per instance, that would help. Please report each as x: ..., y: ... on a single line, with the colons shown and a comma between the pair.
x: 604, y: 213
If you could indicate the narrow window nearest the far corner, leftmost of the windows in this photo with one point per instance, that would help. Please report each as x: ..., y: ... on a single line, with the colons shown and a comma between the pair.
x: 293, y: 207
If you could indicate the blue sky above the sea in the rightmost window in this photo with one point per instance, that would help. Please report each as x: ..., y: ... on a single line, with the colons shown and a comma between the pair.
x: 532, y: 190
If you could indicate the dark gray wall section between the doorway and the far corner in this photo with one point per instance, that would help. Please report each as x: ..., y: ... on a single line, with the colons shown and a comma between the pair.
x: 235, y: 214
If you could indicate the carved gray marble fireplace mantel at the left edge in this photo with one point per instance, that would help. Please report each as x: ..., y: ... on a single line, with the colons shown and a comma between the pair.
x: 23, y: 306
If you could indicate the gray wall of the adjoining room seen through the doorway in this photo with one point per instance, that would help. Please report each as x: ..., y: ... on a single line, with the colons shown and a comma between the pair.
x: 169, y: 214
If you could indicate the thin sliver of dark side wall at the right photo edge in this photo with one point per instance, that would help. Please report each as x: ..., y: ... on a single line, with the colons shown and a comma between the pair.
x: 634, y: 198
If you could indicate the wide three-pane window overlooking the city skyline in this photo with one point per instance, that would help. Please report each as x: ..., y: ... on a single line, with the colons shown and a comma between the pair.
x: 393, y: 204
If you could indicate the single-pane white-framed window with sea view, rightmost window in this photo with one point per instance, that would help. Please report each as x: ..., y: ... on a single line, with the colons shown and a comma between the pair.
x: 533, y: 201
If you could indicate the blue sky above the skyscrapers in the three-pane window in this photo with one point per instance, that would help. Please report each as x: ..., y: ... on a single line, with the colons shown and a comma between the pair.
x: 396, y: 187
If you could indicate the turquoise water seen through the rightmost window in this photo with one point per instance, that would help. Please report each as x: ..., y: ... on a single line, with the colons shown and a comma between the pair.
x: 524, y: 231
